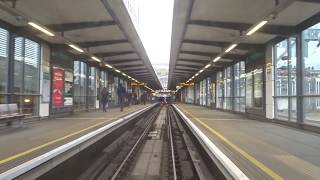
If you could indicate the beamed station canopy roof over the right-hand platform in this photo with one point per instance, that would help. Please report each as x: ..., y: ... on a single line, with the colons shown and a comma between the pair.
x: 204, y: 29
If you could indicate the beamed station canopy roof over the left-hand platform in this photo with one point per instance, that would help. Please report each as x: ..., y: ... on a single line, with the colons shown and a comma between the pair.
x: 102, y: 28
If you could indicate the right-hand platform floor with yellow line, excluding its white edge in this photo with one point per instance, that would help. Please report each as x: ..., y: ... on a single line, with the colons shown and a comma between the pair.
x: 261, y: 150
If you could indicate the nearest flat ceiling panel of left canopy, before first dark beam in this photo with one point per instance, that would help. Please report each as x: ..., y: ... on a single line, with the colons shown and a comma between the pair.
x: 62, y: 11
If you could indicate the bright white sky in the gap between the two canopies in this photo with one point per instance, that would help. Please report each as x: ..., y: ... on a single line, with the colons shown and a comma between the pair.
x: 153, y: 21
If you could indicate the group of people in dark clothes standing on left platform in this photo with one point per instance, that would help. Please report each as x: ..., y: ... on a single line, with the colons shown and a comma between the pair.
x: 124, y: 98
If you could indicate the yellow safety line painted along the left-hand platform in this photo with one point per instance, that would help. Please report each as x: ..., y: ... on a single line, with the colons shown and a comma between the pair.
x: 8, y: 159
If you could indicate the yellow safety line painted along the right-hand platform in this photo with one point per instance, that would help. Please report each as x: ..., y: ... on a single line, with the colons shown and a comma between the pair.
x: 238, y: 149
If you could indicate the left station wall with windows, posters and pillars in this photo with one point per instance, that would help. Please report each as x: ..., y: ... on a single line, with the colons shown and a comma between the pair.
x: 47, y: 81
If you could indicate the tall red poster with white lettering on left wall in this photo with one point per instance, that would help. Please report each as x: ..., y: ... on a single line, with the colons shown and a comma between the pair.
x: 58, y: 77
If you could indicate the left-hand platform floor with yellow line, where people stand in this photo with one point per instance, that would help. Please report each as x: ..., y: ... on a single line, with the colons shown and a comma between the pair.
x: 18, y: 145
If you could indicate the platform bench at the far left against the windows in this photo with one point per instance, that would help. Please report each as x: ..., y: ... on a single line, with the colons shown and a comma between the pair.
x: 10, y: 113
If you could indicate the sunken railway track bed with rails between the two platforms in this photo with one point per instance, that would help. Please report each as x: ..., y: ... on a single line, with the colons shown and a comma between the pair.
x: 156, y: 144
